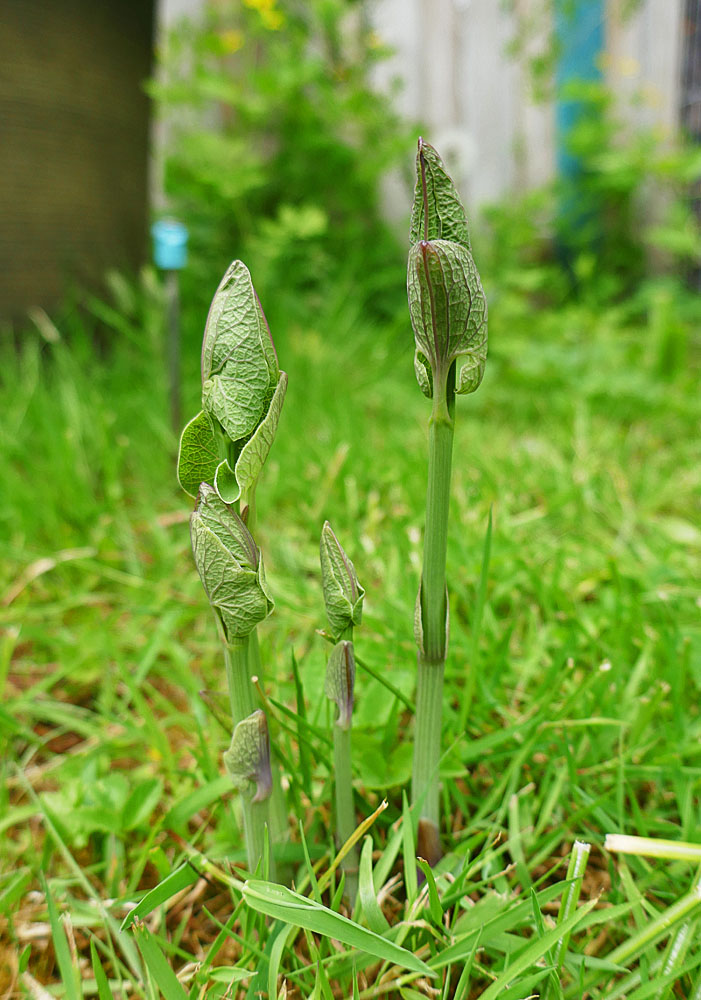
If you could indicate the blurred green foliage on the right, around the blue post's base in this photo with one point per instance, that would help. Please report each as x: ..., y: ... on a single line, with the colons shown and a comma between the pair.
x: 613, y: 233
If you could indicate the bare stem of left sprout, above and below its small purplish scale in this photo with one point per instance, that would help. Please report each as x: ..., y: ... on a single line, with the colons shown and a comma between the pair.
x: 242, y: 700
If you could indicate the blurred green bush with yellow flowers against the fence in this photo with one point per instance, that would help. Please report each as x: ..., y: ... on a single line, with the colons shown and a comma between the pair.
x: 276, y: 146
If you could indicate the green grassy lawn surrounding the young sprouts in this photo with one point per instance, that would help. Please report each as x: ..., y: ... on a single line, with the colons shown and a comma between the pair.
x: 573, y: 672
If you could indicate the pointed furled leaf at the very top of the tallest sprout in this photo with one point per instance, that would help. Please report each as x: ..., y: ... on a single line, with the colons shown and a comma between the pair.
x: 436, y: 192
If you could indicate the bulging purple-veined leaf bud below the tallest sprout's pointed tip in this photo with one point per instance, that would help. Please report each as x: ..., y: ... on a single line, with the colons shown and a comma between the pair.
x: 448, y: 313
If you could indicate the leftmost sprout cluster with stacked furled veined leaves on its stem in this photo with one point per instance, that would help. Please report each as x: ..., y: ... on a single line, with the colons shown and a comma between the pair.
x: 222, y: 452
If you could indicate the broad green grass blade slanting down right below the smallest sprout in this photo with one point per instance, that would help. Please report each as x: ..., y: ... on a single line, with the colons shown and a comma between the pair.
x: 283, y: 904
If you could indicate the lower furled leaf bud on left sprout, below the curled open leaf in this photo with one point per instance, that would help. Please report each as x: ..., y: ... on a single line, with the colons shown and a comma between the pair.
x: 229, y: 564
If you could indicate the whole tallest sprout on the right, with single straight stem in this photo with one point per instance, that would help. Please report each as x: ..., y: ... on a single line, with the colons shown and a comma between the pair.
x: 448, y: 313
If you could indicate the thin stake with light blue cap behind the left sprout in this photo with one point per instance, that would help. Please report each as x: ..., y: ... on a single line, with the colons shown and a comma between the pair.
x: 170, y: 254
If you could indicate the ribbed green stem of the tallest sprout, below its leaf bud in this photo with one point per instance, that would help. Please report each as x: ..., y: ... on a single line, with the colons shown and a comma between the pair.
x: 434, y: 611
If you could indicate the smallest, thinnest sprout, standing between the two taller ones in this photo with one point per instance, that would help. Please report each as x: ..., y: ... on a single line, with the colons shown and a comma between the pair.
x: 343, y: 598
